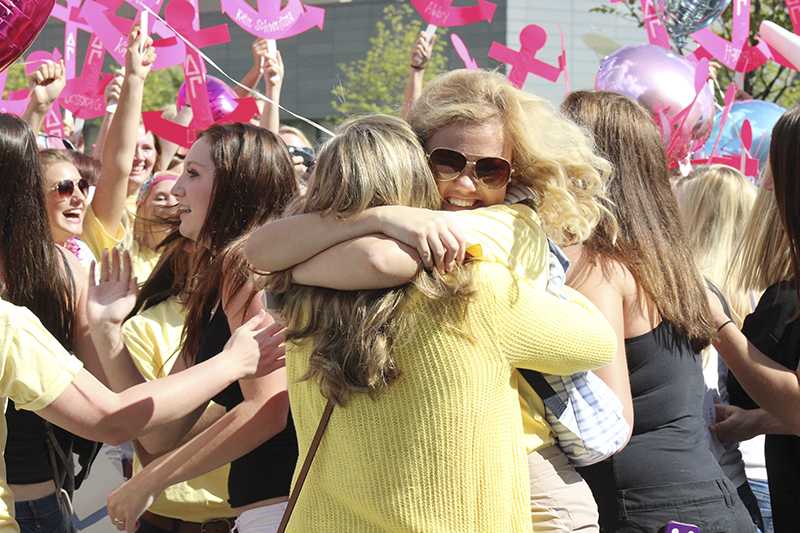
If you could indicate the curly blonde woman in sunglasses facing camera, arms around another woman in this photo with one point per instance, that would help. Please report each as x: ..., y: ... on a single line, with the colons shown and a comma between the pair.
x: 485, y: 147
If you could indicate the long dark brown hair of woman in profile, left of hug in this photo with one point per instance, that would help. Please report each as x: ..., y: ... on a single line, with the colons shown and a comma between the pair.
x: 253, y: 182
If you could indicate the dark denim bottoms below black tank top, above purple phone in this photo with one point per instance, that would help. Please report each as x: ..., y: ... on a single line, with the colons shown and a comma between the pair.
x: 713, y: 506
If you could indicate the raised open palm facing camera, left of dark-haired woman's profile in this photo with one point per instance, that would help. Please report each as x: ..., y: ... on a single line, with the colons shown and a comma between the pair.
x: 111, y: 298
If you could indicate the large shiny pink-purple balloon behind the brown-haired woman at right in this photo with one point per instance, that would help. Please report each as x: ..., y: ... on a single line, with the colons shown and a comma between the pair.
x: 664, y: 83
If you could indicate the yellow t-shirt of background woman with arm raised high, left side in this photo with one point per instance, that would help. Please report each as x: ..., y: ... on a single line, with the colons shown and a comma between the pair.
x: 98, y: 238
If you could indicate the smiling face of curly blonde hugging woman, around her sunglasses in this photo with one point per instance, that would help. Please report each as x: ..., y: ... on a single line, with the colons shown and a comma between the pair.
x: 475, y: 141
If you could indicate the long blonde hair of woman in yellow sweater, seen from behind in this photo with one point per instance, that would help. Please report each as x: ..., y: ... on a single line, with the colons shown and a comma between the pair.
x: 372, y: 161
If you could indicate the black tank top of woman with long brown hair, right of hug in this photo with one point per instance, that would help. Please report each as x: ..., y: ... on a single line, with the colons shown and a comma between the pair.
x: 668, y: 444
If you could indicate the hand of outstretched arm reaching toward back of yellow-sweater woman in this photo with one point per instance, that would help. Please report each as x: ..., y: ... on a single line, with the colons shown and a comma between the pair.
x: 257, y: 346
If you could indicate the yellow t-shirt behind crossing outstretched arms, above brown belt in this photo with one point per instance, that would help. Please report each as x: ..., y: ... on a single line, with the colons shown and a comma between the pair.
x: 153, y: 338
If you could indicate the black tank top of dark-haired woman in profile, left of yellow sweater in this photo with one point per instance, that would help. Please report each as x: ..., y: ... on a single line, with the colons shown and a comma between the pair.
x: 266, y: 472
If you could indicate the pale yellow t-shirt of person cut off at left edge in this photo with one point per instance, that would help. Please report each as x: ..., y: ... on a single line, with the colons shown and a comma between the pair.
x: 34, y: 370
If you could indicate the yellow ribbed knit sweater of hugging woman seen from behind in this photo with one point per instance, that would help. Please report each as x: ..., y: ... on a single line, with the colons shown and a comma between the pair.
x: 442, y: 449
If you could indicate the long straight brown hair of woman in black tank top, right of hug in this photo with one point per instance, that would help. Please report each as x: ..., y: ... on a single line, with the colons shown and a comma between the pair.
x: 650, y: 241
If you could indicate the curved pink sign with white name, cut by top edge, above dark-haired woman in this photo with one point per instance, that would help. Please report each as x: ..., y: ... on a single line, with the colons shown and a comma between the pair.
x: 270, y: 22
